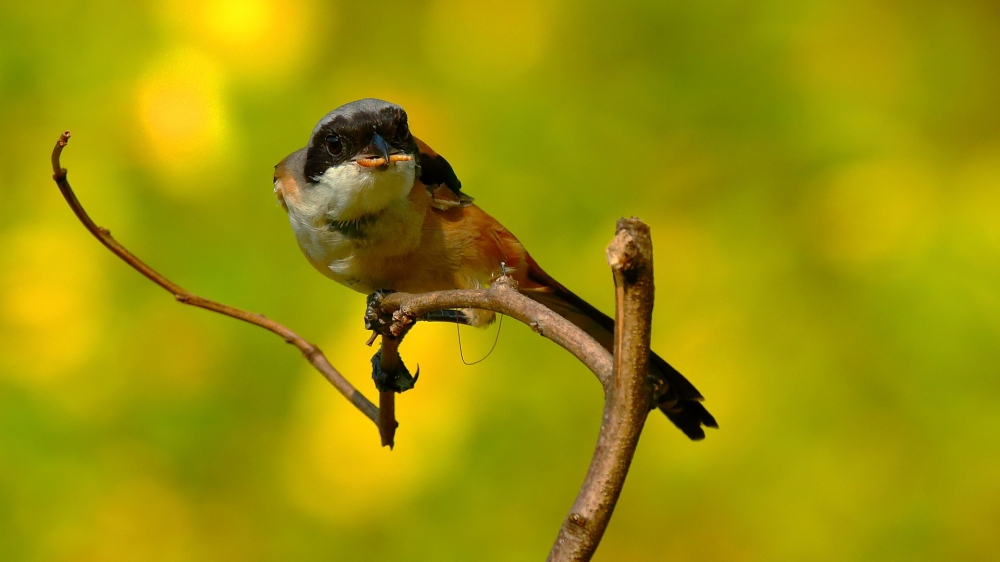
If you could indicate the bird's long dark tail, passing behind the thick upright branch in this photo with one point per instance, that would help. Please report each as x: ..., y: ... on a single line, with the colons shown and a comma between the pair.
x: 677, y: 398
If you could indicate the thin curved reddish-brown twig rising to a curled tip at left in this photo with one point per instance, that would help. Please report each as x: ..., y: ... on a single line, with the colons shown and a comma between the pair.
x: 310, y: 351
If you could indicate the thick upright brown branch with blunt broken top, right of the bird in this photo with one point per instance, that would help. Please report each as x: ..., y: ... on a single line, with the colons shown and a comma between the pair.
x: 630, y: 256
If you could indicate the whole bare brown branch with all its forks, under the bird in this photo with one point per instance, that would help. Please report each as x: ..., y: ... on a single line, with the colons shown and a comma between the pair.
x: 628, y: 395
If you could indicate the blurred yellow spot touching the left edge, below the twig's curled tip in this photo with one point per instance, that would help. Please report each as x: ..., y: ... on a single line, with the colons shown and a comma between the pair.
x: 49, y: 304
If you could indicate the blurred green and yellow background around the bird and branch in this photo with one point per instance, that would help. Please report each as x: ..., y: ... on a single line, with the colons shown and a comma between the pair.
x: 822, y: 180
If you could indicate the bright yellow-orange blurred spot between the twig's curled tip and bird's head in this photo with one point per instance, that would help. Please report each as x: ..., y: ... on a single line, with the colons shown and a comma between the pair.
x: 180, y: 106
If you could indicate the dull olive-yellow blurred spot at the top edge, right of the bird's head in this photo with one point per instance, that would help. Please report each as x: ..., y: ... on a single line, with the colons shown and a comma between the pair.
x: 487, y: 42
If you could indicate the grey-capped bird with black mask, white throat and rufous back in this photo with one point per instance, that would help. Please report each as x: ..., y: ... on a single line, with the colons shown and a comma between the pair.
x: 376, y: 209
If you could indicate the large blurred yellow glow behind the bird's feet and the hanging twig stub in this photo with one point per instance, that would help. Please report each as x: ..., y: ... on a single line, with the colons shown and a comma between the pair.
x: 337, y: 470
